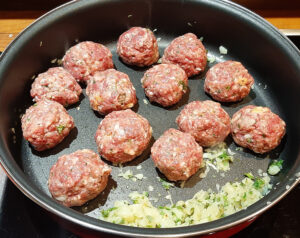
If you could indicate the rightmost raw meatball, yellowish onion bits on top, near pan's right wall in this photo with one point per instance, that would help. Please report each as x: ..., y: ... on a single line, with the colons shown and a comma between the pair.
x: 257, y: 128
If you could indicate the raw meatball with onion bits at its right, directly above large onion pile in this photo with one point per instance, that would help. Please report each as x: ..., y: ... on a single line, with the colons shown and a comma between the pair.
x: 177, y: 155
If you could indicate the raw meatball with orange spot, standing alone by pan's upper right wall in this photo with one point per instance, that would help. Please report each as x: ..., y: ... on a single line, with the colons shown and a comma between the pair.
x: 228, y: 81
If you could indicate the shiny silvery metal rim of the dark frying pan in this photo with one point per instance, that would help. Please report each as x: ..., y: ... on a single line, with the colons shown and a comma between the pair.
x: 47, y: 203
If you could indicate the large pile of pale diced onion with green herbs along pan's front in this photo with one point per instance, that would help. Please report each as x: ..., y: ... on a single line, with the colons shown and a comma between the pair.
x: 230, y: 198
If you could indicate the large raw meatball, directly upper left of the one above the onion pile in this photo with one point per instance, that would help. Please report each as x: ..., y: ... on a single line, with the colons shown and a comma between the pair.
x: 122, y: 136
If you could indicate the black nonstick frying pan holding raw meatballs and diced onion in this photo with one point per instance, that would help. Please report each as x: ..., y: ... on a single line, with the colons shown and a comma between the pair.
x: 270, y: 57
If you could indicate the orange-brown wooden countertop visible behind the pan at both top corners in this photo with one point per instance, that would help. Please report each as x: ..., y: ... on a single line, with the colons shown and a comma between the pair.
x: 13, y: 22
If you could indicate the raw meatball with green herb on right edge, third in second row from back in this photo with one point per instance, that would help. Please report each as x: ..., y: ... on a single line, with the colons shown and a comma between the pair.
x: 165, y: 84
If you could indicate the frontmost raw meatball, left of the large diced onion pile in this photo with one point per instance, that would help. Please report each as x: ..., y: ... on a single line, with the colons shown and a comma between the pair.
x: 78, y: 177
